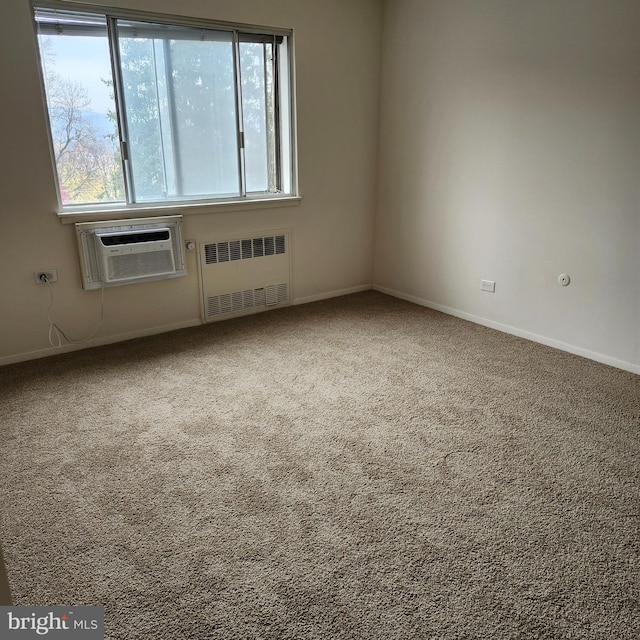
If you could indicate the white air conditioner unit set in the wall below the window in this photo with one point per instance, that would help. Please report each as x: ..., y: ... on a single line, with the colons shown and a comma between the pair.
x: 119, y: 252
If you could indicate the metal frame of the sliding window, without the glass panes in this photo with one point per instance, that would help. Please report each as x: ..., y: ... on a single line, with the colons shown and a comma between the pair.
x: 184, y: 205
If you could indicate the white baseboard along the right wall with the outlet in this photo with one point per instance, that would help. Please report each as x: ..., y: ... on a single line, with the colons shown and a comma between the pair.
x: 520, y: 333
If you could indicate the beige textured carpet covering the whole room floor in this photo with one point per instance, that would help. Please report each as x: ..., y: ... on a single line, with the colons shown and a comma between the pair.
x: 358, y: 468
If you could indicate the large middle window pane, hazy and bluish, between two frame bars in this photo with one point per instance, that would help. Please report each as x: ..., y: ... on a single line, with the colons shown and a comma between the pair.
x: 179, y: 96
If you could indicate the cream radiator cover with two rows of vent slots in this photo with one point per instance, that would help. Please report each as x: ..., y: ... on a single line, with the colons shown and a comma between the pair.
x: 244, y: 275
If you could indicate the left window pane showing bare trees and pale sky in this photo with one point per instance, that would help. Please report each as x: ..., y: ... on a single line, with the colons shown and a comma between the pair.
x: 82, y: 115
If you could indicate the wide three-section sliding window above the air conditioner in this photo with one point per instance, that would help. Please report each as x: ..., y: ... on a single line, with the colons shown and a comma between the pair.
x: 144, y: 111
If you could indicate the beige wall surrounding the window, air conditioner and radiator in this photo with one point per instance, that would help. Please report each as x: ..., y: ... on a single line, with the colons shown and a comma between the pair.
x: 338, y: 65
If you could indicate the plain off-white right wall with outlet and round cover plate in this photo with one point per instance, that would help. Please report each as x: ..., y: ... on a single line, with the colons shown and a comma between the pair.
x: 510, y: 150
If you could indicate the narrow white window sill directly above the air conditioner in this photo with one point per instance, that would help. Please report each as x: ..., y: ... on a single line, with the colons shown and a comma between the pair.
x: 119, y: 213
